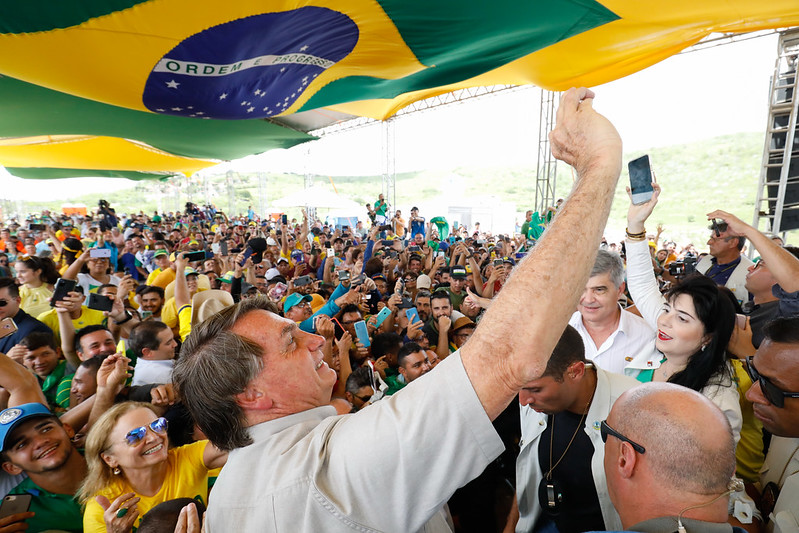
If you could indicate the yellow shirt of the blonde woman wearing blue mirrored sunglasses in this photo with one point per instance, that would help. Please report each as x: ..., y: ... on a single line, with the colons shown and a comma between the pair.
x: 186, y: 477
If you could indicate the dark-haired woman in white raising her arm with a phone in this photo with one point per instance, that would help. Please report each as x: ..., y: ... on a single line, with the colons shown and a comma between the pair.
x: 694, y: 322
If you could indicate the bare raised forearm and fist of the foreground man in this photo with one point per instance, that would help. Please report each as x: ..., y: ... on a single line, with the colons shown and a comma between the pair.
x: 501, y: 358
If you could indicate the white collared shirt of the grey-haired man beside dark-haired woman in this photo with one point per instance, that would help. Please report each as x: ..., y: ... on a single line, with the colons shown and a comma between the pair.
x: 632, y: 336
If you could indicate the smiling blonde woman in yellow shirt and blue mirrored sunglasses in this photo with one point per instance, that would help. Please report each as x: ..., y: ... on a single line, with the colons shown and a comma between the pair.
x: 132, y: 469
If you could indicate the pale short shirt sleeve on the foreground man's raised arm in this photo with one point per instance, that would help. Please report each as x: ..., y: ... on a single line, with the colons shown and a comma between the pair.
x: 435, y: 429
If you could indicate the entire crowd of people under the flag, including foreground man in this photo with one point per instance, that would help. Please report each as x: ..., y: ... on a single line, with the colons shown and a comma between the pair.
x: 399, y: 375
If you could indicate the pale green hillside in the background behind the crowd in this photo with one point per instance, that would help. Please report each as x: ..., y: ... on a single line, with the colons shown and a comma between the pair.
x: 717, y: 173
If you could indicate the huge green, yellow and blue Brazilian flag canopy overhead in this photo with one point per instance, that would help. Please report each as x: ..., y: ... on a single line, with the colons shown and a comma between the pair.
x: 178, y: 85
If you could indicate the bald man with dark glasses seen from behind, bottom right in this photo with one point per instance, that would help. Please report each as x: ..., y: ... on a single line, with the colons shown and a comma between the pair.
x: 668, y: 449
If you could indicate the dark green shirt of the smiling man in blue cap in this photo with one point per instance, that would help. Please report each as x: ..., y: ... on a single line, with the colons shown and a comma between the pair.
x: 59, y: 512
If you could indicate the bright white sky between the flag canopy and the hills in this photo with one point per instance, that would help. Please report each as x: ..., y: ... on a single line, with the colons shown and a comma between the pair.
x: 687, y: 97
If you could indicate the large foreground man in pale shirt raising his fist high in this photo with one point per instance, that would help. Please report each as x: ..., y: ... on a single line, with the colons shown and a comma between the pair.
x: 291, y: 466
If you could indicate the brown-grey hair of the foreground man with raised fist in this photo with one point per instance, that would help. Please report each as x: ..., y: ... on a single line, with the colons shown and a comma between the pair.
x: 214, y: 366
